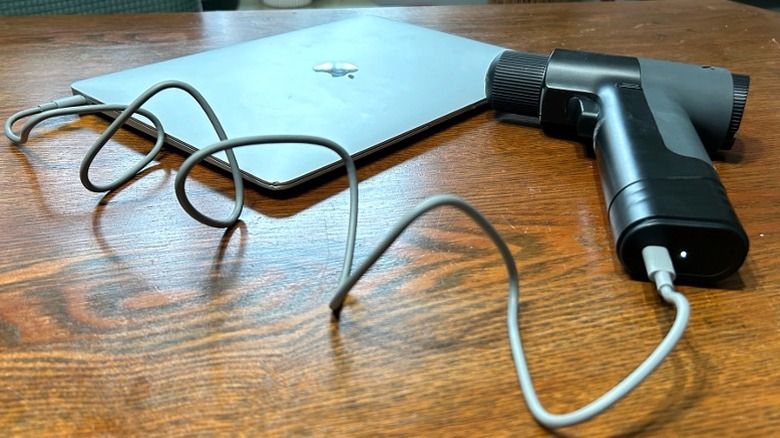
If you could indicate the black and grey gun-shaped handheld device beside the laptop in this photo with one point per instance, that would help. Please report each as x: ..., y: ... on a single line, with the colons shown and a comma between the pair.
x: 653, y: 125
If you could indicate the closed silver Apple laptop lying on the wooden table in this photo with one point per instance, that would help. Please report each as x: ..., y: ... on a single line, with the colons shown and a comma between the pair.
x: 365, y: 83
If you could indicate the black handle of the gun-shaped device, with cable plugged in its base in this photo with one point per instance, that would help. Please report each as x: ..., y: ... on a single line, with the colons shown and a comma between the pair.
x: 657, y: 196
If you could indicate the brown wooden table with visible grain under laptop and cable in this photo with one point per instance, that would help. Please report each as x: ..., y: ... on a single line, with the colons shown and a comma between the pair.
x: 120, y: 315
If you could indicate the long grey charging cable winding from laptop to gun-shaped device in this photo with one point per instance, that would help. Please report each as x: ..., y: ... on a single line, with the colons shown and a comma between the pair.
x: 657, y: 260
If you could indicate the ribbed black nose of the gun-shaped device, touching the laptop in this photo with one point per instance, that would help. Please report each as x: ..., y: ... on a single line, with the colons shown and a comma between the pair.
x: 514, y: 82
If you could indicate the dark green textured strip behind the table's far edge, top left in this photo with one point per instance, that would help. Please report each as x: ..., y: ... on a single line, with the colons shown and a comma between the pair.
x: 63, y: 7
